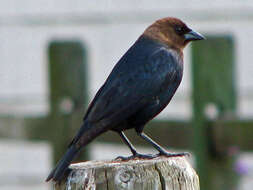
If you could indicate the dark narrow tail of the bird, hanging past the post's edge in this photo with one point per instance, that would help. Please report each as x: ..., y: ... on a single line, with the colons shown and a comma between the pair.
x: 61, y: 167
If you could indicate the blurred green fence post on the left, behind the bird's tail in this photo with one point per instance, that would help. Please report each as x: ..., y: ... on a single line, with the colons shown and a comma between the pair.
x: 68, y: 93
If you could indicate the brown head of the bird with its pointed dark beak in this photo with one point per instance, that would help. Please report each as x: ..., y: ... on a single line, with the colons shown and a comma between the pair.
x: 172, y: 32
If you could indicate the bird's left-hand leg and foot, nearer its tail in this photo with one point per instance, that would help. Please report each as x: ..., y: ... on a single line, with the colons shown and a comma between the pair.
x: 132, y: 148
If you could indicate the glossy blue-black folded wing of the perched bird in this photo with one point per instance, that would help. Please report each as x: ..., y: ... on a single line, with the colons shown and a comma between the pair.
x: 128, y: 89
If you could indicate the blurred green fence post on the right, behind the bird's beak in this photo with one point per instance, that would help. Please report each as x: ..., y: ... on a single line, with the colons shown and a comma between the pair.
x: 214, y: 98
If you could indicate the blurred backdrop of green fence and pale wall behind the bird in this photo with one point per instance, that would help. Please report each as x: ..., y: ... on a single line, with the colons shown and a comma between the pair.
x: 55, y: 54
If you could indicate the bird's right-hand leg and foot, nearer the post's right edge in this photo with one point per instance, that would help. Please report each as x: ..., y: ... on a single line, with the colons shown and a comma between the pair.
x: 161, y: 150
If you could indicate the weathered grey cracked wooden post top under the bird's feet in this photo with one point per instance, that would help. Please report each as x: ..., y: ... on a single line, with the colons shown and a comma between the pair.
x: 140, y: 174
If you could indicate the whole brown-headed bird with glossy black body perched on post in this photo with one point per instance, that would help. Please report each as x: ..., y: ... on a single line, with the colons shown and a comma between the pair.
x: 139, y: 87
